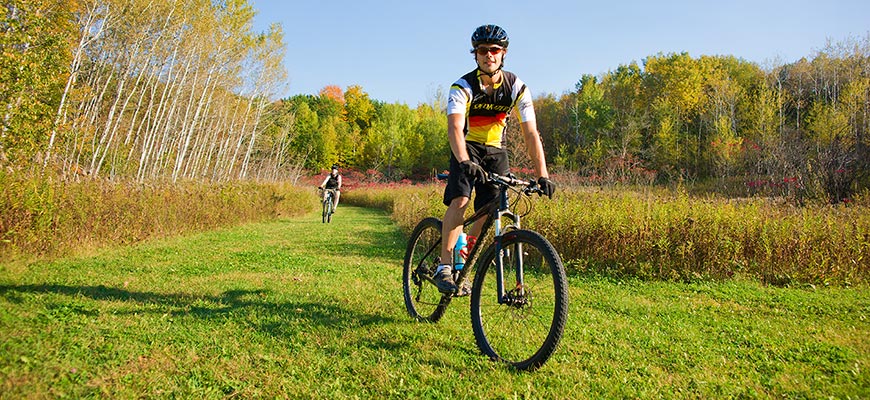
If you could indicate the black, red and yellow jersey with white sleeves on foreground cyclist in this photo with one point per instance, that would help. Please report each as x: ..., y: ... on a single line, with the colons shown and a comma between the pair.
x: 486, y: 115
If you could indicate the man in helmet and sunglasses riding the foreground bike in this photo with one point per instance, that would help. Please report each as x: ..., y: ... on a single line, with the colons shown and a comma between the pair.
x: 477, y: 111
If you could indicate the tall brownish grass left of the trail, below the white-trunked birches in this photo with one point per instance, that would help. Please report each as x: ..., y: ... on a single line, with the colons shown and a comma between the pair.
x: 41, y: 216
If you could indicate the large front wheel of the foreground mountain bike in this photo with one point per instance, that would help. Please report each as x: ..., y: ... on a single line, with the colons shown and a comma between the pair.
x: 524, y: 327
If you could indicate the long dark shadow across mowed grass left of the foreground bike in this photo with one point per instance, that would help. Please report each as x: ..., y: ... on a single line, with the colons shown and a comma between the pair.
x: 256, y: 308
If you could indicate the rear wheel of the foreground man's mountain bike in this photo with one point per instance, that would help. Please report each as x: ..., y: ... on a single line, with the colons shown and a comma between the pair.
x: 422, y: 299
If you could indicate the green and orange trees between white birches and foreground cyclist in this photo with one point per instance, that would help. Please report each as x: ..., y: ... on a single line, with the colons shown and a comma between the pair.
x: 348, y: 128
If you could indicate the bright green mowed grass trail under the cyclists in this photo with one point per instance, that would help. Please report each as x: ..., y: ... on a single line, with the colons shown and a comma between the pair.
x: 294, y: 308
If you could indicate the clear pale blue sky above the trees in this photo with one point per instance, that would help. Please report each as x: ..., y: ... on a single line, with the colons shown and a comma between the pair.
x: 404, y: 50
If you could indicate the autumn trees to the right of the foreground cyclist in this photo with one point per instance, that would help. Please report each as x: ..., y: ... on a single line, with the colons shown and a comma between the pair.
x: 799, y: 127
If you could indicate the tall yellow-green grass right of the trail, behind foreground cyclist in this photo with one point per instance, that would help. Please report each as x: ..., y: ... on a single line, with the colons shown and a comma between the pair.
x: 667, y: 234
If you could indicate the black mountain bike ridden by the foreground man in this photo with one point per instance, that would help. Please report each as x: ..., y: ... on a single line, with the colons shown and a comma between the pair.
x: 519, y: 323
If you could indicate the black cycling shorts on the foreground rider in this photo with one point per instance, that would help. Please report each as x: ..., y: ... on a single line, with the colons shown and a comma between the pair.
x: 492, y: 159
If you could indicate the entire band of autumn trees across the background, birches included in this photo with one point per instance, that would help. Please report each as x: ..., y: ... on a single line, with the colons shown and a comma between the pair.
x: 136, y: 89
